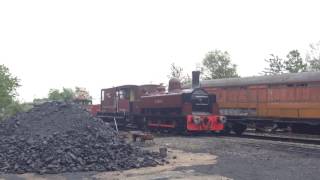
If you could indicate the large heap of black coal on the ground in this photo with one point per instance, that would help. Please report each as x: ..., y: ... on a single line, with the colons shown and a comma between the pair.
x: 58, y: 137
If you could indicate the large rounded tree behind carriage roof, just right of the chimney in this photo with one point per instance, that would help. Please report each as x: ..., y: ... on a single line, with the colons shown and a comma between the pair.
x: 217, y: 65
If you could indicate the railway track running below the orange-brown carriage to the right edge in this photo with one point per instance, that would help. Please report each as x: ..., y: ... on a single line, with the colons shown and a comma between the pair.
x: 297, y: 144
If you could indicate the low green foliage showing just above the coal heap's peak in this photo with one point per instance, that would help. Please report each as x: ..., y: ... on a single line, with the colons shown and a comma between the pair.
x: 66, y: 94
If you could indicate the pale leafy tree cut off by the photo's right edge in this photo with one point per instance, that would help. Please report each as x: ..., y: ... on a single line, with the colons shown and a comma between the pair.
x: 313, y: 57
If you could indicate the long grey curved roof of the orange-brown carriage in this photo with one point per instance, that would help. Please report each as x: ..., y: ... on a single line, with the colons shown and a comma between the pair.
x: 288, y: 78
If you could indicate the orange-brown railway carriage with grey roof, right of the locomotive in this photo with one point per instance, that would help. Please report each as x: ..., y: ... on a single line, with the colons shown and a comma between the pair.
x: 286, y: 100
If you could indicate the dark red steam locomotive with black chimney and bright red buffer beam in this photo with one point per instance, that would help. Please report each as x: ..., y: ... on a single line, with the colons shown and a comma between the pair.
x: 150, y: 107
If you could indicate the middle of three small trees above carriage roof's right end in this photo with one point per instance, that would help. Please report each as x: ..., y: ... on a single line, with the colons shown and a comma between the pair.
x: 294, y: 62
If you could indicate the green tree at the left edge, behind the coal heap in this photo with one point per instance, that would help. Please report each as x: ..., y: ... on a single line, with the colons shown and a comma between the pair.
x: 8, y: 93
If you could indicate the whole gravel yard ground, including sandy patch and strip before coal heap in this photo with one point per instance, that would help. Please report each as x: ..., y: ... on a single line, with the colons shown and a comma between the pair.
x: 217, y: 157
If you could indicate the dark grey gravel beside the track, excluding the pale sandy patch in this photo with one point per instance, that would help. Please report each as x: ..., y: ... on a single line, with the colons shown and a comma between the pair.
x: 240, y: 158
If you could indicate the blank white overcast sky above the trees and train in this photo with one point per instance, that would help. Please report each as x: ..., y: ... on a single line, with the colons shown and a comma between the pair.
x: 100, y: 44
